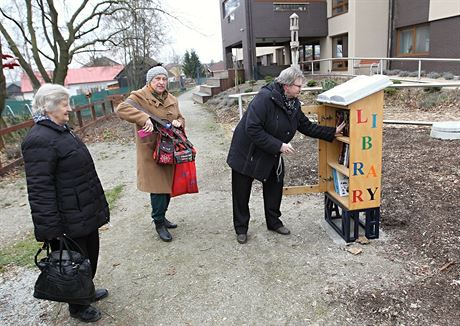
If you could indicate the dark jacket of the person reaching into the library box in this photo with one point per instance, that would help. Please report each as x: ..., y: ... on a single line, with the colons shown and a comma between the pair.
x: 265, y: 126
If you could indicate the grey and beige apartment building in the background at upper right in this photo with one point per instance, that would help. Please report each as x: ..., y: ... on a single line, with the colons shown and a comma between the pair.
x: 341, y: 28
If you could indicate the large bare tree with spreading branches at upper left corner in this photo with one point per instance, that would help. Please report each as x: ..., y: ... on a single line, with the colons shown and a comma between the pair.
x: 52, y: 39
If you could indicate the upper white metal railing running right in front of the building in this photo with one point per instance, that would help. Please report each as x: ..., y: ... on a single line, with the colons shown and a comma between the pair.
x: 377, y: 60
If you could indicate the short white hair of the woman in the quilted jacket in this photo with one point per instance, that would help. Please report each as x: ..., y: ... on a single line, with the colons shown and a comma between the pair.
x: 48, y: 97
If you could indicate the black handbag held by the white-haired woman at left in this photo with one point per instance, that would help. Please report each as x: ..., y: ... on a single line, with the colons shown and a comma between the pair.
x: 66, y: 275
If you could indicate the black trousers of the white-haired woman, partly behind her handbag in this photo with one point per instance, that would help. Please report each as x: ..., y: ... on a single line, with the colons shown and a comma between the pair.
x: 90, y: 248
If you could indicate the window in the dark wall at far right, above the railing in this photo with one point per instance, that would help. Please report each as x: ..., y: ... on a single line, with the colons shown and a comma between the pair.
x: 414, y: 40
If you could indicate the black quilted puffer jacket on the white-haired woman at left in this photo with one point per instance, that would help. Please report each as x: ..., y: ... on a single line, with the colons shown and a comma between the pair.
x: 65, y: 193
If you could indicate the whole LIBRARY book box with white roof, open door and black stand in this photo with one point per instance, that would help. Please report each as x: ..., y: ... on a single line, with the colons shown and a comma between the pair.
x: 361, y: 101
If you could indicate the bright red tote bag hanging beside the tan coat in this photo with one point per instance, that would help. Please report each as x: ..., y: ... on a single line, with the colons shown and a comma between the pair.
x: 184, y: 181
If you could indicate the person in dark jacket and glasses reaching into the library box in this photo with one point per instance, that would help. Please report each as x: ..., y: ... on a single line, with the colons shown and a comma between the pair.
x: 260, y: 139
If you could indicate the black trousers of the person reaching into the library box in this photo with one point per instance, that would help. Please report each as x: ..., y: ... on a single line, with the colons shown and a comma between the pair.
x: 272, y: 194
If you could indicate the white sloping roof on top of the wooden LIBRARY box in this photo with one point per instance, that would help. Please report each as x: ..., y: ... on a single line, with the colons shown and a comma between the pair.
x: 354, y: 89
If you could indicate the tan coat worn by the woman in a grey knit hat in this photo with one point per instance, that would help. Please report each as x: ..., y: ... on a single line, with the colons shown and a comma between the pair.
x: 151, y: 177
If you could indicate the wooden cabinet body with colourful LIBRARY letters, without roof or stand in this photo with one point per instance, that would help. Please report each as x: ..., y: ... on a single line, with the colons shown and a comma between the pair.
x: 364, y: 144
